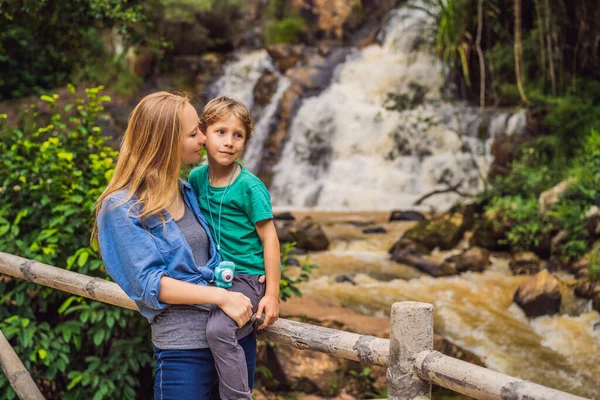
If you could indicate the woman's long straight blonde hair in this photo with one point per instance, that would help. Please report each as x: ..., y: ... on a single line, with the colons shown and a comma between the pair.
x: 149, y: 160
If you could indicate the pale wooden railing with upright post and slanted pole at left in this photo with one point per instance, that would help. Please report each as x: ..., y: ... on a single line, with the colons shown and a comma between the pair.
x: 412, y: 365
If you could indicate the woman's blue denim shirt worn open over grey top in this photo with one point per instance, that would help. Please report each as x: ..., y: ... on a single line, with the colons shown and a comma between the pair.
x: 136, y: 257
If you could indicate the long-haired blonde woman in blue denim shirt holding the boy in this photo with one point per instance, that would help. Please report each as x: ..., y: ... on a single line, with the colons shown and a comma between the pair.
x: 156, y: 245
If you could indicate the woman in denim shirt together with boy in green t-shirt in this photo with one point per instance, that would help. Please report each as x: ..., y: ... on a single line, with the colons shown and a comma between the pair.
x: 161, y: 239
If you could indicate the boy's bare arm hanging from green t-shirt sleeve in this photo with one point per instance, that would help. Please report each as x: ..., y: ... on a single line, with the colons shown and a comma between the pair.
x: 270, y: 302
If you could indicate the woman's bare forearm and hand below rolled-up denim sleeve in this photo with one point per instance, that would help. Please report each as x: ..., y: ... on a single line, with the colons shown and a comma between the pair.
x: 235, y: 305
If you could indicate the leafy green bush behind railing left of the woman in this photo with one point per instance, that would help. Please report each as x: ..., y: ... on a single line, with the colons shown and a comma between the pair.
x: 51, y: 171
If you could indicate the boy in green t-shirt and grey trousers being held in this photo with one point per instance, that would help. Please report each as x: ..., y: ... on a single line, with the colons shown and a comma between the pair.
x: 238, y: 209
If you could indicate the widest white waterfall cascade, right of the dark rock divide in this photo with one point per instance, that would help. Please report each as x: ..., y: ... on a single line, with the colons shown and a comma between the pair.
x: 356, y: 147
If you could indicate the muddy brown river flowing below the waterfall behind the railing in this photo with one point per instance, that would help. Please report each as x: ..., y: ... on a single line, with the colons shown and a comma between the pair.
x: 473, y: 310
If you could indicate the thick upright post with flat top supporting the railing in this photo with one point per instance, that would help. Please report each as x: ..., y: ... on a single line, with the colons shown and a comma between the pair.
x: 411, y: 332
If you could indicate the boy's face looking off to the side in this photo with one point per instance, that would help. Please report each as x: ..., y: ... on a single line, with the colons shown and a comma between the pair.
x: 225, y: 140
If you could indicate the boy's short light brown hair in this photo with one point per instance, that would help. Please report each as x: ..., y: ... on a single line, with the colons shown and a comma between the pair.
x: 219, y: 108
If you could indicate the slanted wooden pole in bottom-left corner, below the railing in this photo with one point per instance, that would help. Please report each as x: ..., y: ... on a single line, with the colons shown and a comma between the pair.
x: 17, y: 375
